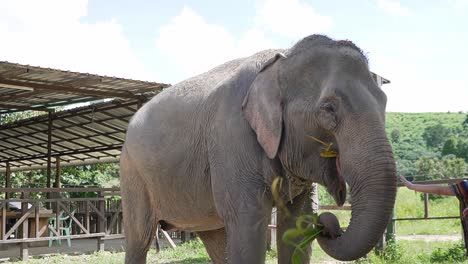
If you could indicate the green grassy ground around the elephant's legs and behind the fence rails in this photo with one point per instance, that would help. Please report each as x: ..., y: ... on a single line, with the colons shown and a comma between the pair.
x: 408, y: 204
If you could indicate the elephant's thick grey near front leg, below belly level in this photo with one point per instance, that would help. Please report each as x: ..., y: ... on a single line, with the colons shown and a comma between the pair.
x: 247, y: 219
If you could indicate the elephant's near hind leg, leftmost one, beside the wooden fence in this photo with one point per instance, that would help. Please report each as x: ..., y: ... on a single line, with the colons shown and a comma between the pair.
x: 141, y: 221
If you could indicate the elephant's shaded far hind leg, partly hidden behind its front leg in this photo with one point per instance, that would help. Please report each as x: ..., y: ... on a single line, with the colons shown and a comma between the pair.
x: 215, y: 244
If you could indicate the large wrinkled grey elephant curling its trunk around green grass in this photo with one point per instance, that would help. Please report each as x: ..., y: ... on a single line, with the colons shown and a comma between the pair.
x: 201, y: 155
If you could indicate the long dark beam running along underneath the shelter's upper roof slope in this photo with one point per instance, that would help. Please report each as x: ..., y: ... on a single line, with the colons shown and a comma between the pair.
x: 68, y: 89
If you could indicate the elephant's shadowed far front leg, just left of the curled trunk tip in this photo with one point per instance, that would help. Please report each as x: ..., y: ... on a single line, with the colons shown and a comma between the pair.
x: 301, y: 204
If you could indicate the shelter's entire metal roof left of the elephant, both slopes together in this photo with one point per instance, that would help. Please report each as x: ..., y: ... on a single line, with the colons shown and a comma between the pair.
x: 84, y: 135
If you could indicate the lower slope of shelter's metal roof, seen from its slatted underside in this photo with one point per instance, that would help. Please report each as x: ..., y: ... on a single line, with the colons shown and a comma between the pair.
x: 85, y: 135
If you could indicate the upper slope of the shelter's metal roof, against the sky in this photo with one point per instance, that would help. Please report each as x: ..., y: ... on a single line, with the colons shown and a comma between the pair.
x: 24, y: 87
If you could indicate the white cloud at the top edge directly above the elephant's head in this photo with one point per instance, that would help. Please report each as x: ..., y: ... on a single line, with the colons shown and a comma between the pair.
x: 292, y: 18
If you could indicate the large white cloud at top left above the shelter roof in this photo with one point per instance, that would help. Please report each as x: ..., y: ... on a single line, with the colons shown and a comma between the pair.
x: 49, y: 33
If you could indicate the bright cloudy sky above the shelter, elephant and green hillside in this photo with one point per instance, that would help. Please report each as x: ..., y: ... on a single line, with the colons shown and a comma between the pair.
x: 420, y: 46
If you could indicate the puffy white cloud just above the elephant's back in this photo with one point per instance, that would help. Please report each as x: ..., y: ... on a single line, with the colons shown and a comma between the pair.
x: 195, y: 46
